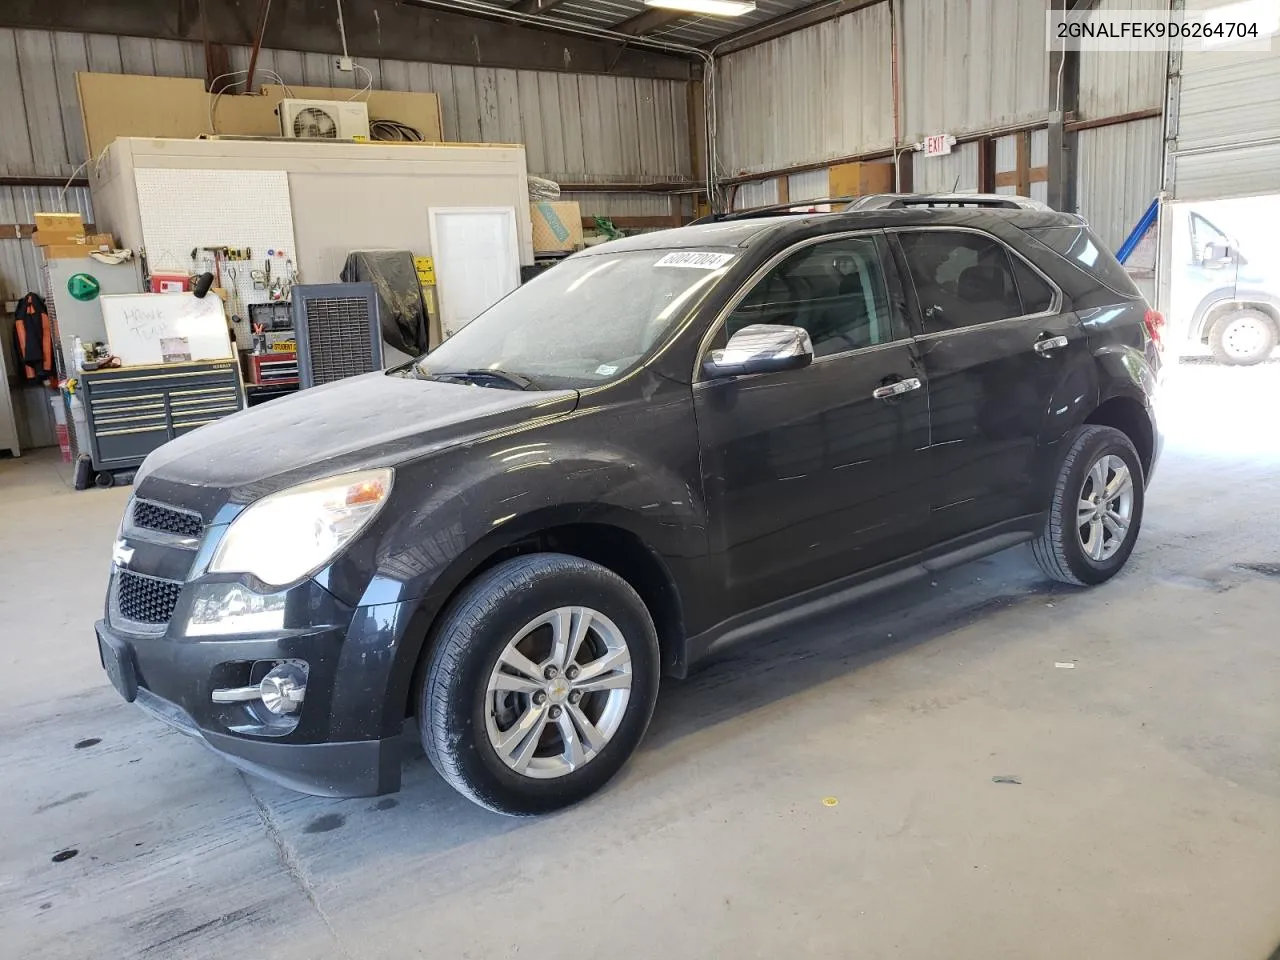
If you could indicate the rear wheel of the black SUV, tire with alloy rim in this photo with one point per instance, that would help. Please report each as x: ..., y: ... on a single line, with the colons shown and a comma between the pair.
x: 1067, y: 551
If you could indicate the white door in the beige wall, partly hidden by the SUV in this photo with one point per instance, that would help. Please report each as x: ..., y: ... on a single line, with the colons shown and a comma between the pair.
x: 477, y: 257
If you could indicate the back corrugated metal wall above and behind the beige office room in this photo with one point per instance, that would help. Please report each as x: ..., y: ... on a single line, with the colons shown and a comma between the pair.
x: 575, y: 127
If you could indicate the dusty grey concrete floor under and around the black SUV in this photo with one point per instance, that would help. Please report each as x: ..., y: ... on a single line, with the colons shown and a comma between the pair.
x: 1148, y: 821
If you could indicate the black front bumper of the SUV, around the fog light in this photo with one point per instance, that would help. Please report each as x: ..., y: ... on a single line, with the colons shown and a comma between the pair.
x: 346, y: 742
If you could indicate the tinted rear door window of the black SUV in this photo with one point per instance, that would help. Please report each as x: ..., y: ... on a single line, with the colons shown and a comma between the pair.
x: 961, y: 280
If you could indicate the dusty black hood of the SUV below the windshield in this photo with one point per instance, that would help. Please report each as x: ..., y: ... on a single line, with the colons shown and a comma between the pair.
x: 363, y: 422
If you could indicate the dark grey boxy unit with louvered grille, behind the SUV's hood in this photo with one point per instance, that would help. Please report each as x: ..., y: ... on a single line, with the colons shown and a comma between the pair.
x: 337, y: 330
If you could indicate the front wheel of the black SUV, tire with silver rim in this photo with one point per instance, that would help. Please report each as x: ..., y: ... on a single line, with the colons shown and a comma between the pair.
x: 463, y: 720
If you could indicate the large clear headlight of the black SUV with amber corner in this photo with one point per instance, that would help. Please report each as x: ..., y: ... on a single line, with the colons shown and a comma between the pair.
x: 290, y: 534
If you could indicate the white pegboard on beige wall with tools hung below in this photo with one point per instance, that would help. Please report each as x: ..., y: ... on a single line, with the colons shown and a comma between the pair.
x: 185, y: 211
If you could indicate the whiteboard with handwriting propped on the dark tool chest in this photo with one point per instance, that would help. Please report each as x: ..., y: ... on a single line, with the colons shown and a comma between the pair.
x: 166, y: 328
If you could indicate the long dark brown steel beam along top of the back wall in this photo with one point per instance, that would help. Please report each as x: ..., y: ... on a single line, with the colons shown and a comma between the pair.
x: 376, y: 29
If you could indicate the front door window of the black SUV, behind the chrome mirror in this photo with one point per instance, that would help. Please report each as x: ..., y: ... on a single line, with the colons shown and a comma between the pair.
x: 834, y: 290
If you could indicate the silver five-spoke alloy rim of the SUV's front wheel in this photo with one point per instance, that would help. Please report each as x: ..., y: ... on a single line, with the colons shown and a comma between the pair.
x: 559, y: 693
